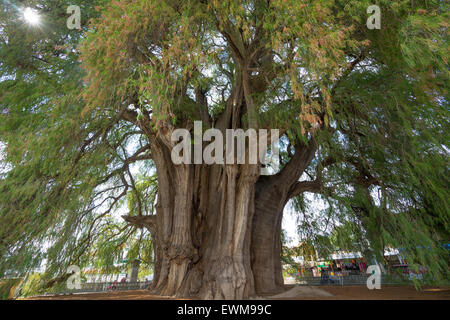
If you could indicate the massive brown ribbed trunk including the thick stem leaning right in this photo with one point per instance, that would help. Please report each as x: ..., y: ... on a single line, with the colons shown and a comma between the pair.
x: 217, y: 228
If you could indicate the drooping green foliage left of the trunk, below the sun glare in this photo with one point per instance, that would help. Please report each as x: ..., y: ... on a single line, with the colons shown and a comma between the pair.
x: 65, y: 173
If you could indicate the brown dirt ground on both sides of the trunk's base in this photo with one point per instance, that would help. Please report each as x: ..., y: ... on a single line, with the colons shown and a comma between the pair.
x: 308, y: 293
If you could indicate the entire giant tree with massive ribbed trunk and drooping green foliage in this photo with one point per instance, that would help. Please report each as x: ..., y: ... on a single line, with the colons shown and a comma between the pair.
x: 361, y: 113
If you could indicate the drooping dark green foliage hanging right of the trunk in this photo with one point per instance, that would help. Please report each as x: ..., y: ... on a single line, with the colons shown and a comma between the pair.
x: 387, y: 185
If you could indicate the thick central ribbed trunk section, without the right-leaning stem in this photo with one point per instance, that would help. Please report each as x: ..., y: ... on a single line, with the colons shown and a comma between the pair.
x: 203, y: 225
